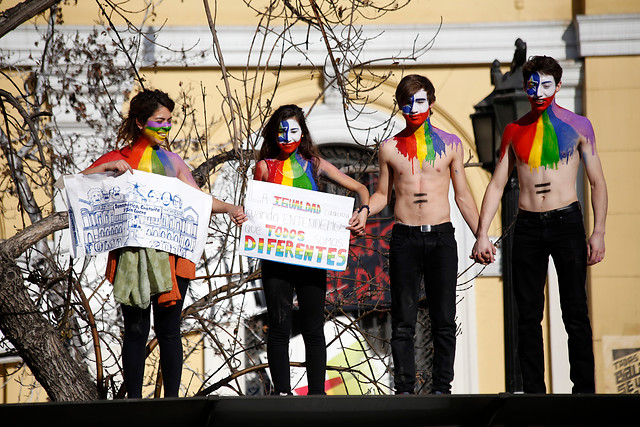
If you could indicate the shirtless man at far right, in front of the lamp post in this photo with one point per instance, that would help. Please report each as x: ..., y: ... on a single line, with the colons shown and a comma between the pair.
x: 546, y: 146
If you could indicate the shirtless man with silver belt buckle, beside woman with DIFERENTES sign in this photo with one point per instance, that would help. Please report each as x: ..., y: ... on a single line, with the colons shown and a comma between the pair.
x: 419, y: 163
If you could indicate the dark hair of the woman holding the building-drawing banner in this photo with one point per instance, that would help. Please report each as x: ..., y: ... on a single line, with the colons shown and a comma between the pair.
x: 141, y: 107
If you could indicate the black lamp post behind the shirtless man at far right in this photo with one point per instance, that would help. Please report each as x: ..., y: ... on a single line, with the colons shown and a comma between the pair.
x: 505, y: 104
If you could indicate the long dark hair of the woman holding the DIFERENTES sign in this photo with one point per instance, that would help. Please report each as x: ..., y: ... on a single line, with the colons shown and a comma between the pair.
x: 270, y: 148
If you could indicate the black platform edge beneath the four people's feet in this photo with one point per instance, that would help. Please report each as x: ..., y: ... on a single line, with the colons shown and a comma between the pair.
x: 302, y: 411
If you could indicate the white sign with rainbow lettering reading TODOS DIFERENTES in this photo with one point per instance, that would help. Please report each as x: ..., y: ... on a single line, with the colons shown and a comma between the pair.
x: 296, y: 226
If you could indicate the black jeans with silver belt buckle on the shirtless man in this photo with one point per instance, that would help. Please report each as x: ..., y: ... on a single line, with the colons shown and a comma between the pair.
x: 414, y: 255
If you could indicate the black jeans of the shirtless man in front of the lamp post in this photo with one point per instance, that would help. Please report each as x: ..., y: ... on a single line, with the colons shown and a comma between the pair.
x: 560, y: 234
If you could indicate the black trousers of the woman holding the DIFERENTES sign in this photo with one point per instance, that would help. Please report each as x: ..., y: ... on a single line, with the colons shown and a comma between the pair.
x: 310, y: 284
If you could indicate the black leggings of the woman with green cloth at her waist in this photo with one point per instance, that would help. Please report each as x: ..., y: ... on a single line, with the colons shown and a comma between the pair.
x: 166, y: 323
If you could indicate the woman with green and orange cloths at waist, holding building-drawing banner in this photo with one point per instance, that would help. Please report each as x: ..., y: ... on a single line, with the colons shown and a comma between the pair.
x: 146, y: 128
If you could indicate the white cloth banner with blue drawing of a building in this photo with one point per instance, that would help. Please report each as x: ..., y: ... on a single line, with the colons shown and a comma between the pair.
x: 140, y: 209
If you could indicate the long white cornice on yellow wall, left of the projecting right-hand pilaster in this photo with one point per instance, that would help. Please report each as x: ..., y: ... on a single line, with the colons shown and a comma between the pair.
x: 477, y: 43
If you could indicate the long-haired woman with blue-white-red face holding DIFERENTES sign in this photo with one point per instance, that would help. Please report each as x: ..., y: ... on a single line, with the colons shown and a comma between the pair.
x: 289, y: 157
